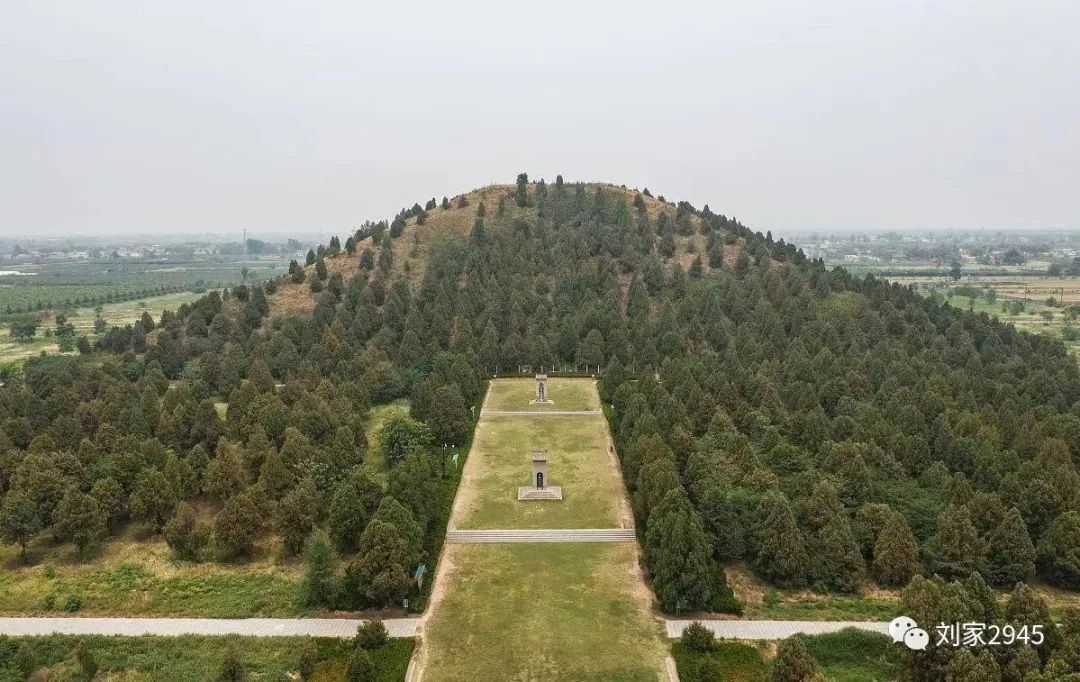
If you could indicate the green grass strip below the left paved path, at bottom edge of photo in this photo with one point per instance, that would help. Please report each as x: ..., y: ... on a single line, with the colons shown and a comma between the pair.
x: 196, y: 659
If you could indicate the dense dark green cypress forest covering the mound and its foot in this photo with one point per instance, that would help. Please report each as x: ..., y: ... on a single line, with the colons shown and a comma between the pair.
x: 829, y: 431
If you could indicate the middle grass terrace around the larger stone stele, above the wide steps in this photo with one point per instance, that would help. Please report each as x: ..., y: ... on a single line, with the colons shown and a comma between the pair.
x: 578, y: 460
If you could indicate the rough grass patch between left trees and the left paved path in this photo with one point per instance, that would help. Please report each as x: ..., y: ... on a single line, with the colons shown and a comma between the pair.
x: 130, y: 577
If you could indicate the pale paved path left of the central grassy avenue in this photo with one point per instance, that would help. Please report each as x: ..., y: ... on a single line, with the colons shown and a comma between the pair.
x: 173, y: 627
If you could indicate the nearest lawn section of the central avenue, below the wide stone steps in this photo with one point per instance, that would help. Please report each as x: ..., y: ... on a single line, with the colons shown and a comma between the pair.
x: 544, y: 612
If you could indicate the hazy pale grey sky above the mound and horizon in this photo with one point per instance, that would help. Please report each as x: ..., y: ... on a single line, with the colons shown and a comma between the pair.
x: 196, y: 116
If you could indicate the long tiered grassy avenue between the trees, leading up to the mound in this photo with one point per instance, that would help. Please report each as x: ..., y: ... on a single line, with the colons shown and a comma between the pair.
x: 542, y: 611
